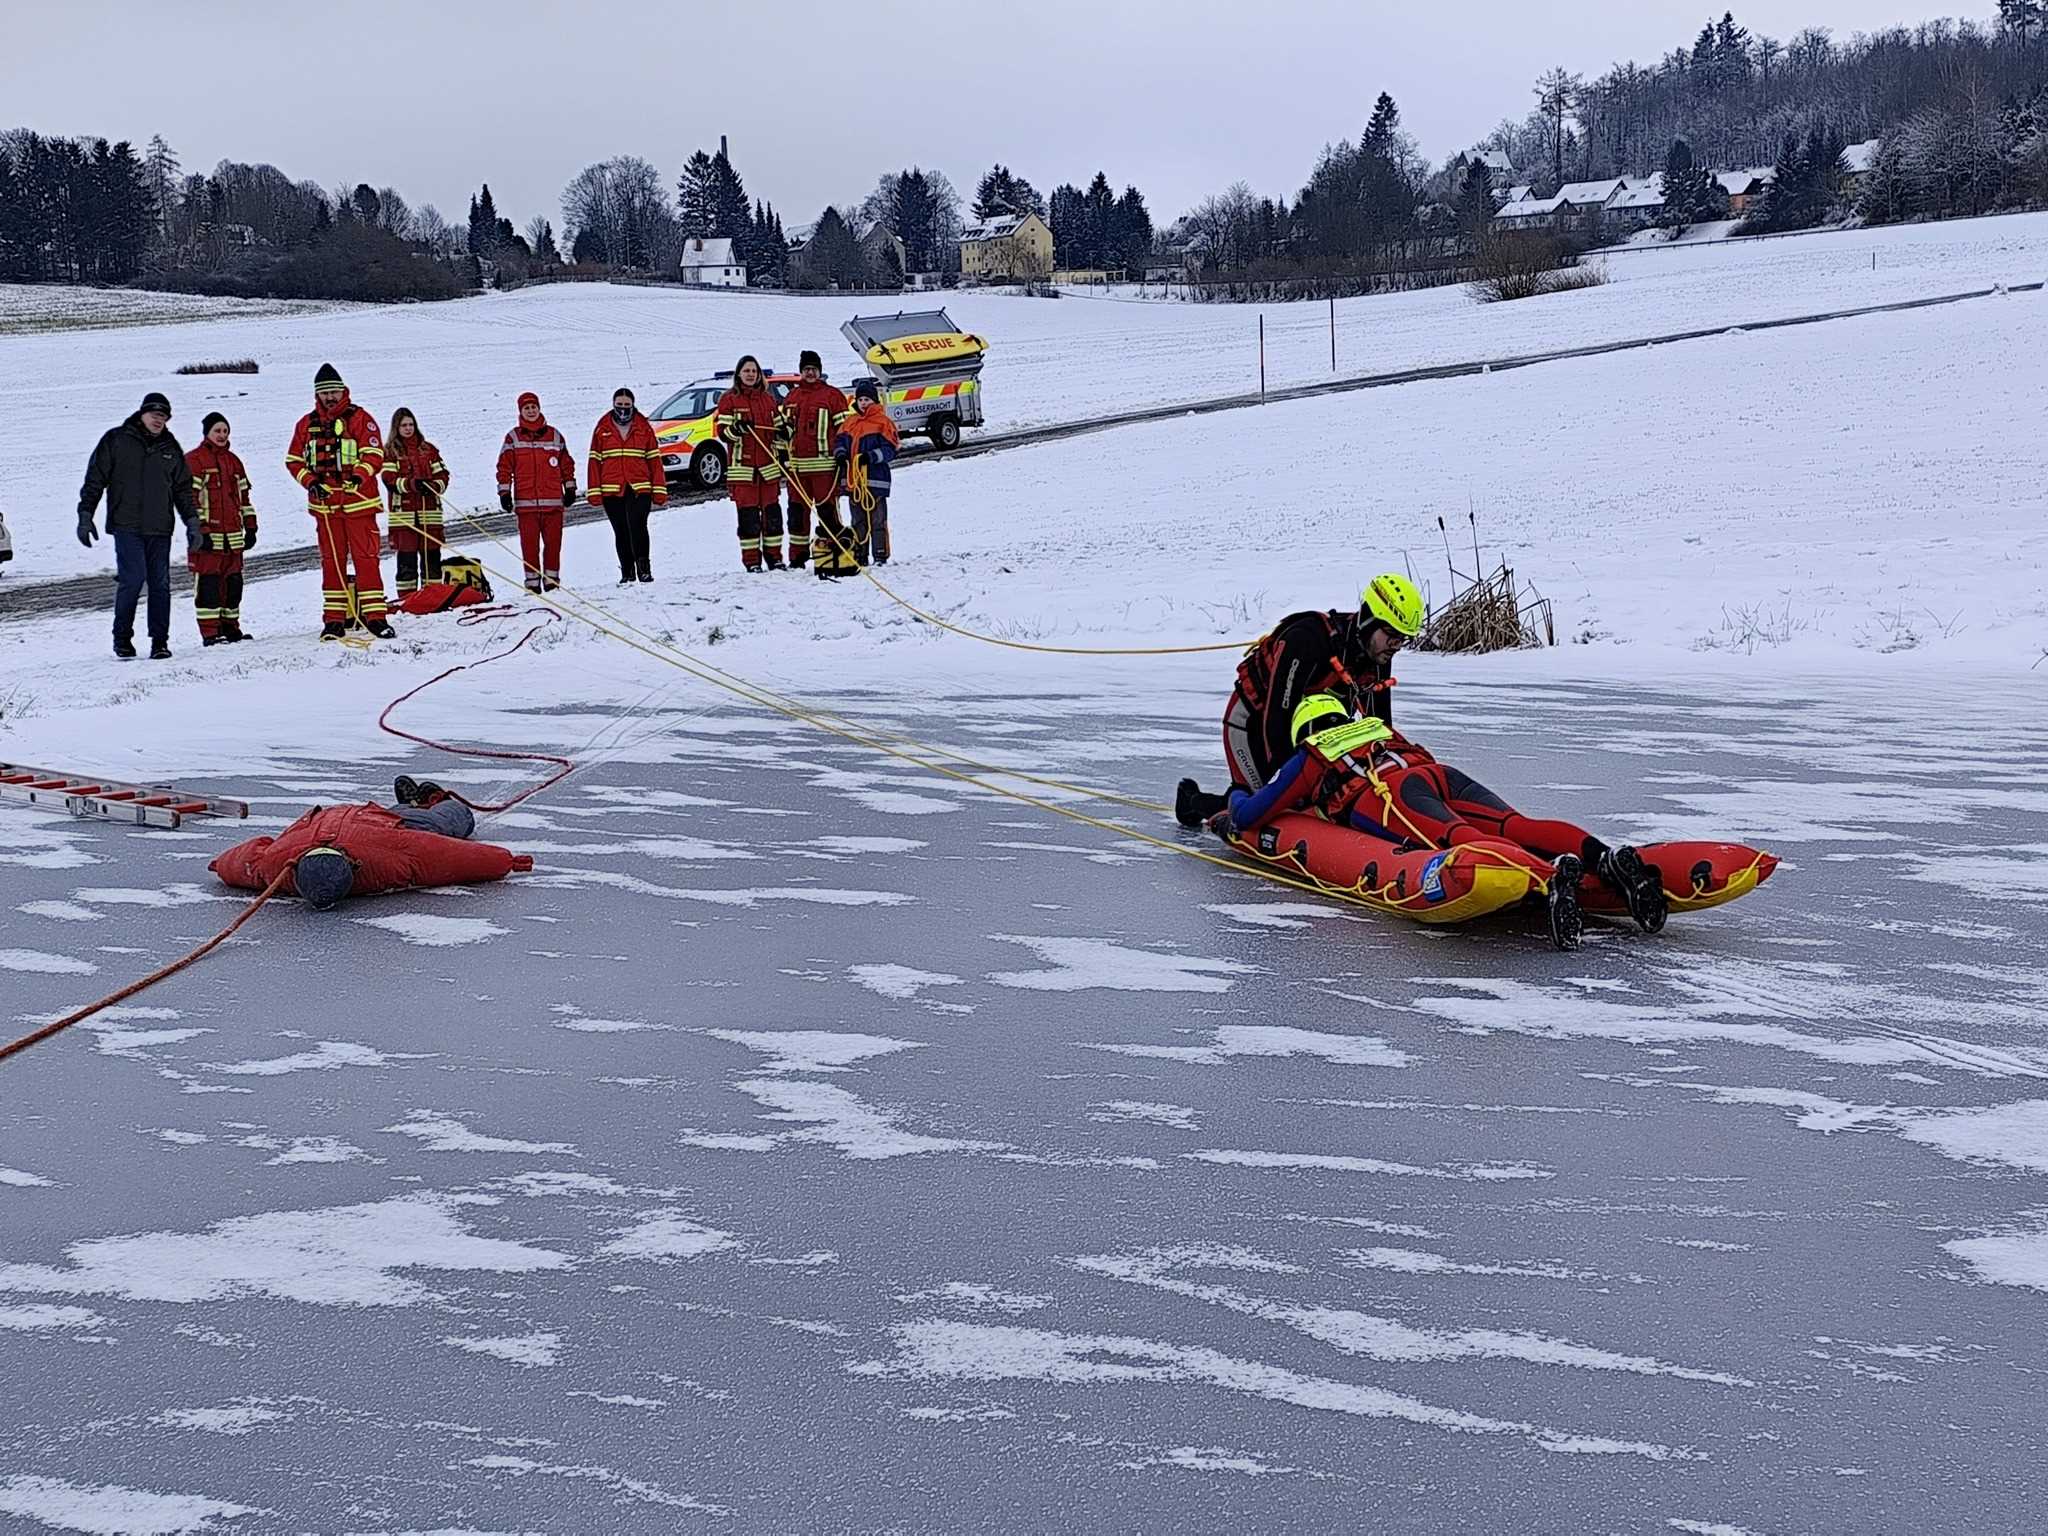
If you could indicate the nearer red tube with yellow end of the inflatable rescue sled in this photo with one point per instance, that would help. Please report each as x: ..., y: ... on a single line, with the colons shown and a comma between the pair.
x: 1431, y: 886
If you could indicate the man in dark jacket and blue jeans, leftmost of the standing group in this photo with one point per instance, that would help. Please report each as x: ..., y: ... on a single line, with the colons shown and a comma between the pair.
x: 148, y: 488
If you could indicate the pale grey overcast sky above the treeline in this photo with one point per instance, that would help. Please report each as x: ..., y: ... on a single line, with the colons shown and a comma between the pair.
x: 820, y: 97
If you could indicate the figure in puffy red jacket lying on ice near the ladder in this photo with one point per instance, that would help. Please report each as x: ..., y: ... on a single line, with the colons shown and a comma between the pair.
x: 343, y: 851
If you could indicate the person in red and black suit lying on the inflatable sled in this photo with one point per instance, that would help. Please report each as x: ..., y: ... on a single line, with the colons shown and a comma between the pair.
x: 1369, y: 777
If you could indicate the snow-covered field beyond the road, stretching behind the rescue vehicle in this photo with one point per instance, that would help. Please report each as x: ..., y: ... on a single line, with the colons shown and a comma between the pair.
x: 462, y: 366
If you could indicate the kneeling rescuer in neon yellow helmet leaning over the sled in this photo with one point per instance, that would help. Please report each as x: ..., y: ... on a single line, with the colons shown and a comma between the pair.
x: 1345, y: 654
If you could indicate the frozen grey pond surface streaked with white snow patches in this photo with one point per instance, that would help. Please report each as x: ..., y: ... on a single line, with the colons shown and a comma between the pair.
x: 830, y: 1146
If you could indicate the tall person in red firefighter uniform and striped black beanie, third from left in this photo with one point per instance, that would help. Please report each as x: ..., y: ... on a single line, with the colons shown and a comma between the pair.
x: 337, y: 456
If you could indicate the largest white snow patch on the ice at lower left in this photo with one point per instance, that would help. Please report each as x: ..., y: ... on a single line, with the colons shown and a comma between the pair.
x: 339, y: 1256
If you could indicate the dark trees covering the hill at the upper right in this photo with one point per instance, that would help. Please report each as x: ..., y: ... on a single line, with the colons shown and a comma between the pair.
x: 1959, y: 112
